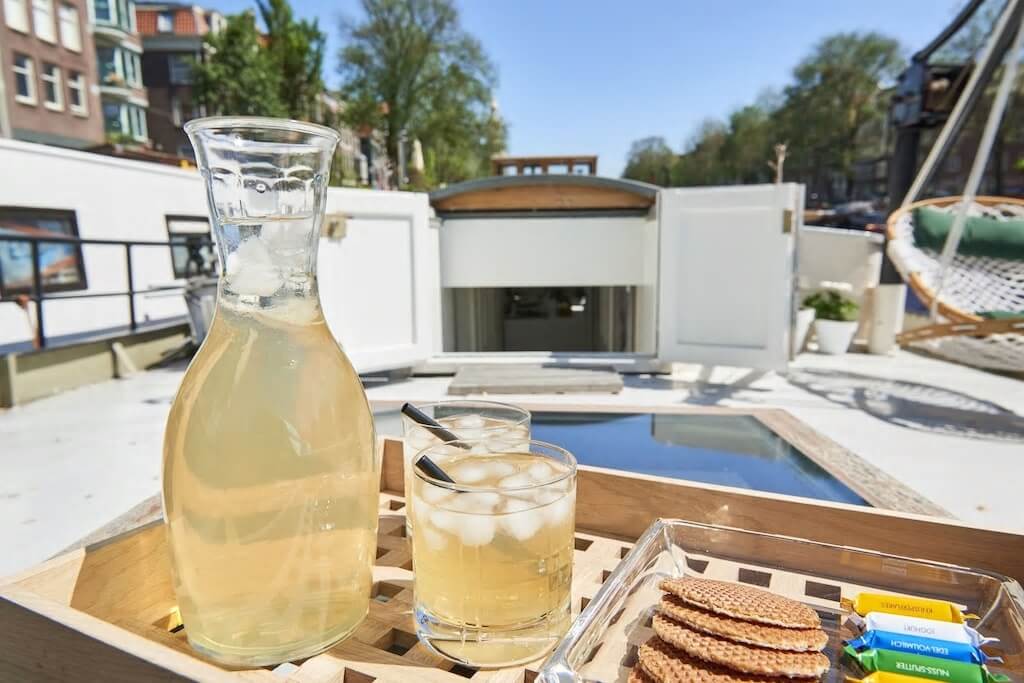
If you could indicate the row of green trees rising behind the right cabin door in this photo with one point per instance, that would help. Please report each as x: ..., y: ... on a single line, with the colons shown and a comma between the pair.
x: 832, y: 114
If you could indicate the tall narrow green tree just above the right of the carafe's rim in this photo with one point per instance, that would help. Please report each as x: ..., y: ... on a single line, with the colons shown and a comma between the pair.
x: 295, y: 52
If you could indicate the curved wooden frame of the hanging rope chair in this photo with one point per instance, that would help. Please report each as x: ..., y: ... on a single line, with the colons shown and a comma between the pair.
x: 961, y: 323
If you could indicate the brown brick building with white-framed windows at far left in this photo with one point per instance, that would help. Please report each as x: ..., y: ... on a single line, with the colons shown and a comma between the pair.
x: 49, y: 82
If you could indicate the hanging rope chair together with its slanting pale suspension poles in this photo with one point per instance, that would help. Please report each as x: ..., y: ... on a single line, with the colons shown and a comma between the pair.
x: 976, y: 303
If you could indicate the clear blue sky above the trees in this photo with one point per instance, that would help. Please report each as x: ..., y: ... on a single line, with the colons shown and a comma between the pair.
x: 593, y: 76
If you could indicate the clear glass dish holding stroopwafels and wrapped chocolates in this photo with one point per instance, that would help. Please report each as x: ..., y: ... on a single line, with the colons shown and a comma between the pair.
x: 603, y: 644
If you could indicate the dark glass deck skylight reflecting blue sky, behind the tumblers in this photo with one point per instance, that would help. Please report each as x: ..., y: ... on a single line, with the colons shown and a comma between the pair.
x: 733, y: 451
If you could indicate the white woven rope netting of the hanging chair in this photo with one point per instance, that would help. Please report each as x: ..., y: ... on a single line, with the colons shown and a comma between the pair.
x: 973, y: 285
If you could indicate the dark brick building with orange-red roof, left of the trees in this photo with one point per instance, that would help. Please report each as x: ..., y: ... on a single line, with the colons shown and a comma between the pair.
x: 173, y: 39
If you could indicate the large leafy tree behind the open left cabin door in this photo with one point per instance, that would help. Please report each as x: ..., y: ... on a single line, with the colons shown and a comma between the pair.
x: 409, y: 66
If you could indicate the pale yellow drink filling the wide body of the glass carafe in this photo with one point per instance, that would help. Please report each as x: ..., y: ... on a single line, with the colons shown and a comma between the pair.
x: 271, y: 487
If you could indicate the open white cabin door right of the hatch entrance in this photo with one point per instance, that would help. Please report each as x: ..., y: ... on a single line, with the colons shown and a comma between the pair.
x: 726, y: 275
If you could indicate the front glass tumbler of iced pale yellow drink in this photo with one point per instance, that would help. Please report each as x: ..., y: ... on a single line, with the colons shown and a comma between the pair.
x: 494, y: 558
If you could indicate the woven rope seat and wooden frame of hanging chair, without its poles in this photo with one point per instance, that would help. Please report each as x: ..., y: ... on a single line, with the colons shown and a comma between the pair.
x: 979, y: 294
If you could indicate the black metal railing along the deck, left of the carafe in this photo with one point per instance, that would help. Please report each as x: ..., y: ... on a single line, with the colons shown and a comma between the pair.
x: 196, y: 266
